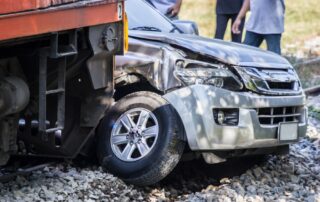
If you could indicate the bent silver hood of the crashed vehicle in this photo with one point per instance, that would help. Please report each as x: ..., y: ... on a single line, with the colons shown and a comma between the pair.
x: 227, y: 52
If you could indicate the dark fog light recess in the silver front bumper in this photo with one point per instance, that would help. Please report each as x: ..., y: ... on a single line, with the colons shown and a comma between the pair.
x: 226, y: 116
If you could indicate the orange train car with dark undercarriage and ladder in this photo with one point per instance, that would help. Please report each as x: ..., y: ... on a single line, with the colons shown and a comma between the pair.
x: 56, y: 73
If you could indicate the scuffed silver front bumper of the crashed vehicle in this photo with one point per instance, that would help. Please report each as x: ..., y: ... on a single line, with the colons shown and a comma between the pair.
x: 194, y: 104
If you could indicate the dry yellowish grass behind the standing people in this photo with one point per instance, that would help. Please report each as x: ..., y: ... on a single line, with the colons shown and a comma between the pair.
x: 302, y: 19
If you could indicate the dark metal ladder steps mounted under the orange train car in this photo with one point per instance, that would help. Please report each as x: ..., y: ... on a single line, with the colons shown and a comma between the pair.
x: 58, y: 50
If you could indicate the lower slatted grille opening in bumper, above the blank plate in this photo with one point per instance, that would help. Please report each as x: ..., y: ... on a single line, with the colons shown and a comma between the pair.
x: 274, y: 116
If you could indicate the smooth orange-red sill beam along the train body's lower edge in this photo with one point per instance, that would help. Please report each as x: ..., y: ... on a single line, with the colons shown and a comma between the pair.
x: 53, y: 19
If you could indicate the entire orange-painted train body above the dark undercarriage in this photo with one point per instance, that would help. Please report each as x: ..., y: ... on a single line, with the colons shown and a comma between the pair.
x: 21, y: 18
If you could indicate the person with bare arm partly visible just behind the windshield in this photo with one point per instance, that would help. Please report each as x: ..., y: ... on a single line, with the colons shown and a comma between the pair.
x: 170, y: 8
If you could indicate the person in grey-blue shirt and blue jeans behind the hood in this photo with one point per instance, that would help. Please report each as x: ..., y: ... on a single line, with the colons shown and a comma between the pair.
x: 265, y: 23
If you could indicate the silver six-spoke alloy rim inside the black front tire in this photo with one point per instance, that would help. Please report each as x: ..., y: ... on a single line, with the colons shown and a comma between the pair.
x: 134, y: 134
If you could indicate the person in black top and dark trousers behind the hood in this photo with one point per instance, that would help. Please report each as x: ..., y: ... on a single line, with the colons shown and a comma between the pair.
x: 228, y: 10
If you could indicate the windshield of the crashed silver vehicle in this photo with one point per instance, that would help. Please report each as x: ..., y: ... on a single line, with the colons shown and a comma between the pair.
x: 143, y: 16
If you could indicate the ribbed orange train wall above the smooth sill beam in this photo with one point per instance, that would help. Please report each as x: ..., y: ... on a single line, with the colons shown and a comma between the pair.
x: 14, y: 6
